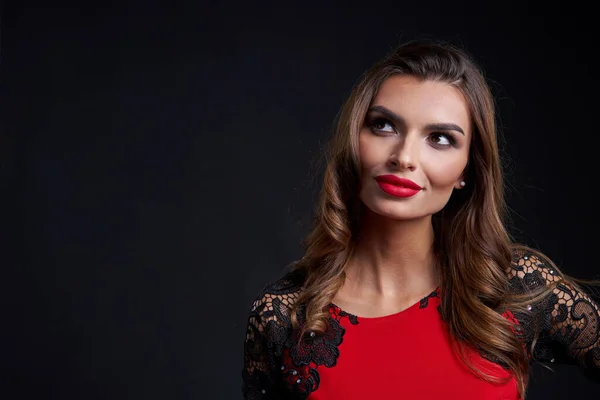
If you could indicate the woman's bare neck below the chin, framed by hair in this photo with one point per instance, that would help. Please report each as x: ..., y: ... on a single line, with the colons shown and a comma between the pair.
x: 393, y: 259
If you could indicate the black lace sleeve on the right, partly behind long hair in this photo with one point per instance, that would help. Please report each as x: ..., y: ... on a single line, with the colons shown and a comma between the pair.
x: 567, y: 321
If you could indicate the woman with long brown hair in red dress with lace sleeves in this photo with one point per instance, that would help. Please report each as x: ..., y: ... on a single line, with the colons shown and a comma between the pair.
x: 410, y: 286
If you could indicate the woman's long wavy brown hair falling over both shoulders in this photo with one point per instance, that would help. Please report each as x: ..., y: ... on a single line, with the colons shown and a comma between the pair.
x: 472, y: 246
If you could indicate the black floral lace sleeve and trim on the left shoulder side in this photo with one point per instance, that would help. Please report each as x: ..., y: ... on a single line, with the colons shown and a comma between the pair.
x: 277, y: 363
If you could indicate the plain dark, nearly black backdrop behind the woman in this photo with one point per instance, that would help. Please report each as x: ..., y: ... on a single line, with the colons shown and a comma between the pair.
x: 158, y: 164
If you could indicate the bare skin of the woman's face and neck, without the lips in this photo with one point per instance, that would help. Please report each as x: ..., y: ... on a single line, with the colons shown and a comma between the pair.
x: 393, y: 266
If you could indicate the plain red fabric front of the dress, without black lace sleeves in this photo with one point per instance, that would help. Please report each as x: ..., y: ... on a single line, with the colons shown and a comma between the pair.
x: 406, y: 355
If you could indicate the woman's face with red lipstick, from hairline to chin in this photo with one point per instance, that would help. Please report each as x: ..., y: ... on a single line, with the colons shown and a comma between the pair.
x: 416, y: 130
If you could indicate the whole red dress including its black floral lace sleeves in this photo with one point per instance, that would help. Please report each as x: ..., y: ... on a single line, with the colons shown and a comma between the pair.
x: 407, y: 355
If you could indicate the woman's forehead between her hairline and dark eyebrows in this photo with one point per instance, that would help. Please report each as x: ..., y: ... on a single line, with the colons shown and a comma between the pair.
x: 424, y: 101
